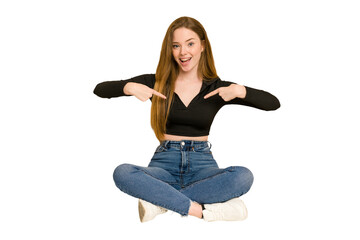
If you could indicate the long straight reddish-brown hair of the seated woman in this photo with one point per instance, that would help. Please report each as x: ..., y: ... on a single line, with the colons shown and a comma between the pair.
x: 168, y: 70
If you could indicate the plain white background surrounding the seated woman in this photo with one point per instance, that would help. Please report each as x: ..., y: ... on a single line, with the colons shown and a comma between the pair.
x: 60, y: 143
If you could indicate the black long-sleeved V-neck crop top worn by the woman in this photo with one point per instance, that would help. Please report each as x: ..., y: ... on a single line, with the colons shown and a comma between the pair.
x: 195, y: 119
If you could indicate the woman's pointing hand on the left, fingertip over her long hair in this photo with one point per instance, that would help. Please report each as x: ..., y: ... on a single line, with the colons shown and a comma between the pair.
x: 140, y: 91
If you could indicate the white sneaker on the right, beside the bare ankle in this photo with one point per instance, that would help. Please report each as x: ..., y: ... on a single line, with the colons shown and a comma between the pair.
x: 232, y: 210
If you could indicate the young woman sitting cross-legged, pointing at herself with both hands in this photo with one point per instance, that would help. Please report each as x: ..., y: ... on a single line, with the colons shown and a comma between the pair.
x: 186, y: 94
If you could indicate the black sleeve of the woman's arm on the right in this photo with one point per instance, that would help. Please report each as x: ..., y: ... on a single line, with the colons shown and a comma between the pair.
x: 255, y: 98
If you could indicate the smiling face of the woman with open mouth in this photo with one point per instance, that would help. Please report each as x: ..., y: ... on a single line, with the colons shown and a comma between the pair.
x: 186, y: 49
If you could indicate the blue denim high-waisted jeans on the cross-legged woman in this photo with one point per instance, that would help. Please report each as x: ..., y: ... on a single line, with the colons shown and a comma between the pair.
x: 181, y: 172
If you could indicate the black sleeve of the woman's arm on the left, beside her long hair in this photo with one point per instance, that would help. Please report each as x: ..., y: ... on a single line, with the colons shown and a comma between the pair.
x: 110, y: 89
